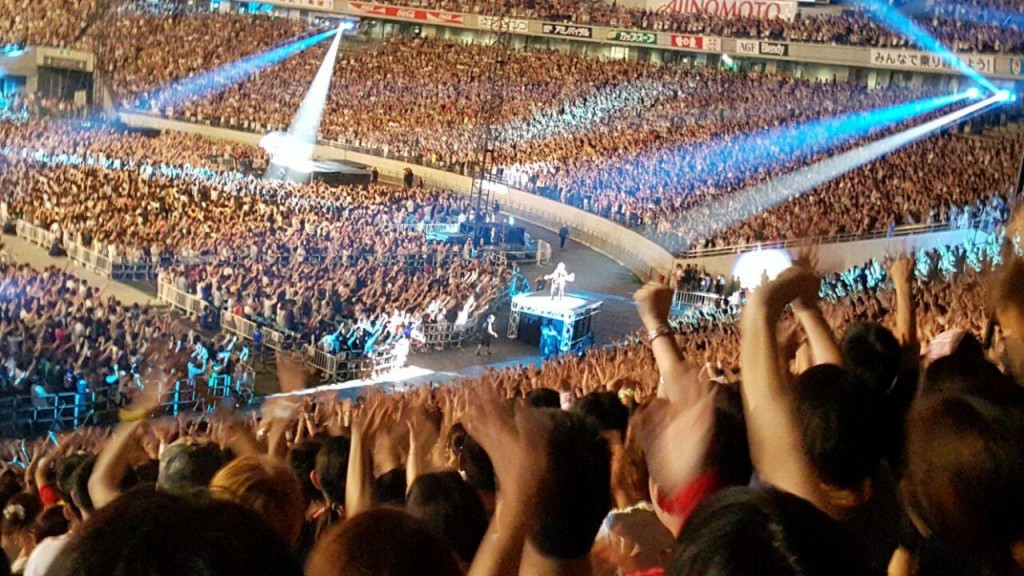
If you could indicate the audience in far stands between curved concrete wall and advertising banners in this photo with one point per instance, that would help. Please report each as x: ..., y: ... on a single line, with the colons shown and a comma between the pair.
x: 663, y: 149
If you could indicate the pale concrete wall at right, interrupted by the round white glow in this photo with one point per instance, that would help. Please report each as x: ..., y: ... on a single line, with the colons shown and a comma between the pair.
x: 843, y: 256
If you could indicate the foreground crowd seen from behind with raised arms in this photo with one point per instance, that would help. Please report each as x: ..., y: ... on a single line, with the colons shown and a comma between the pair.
x: 883, y: 426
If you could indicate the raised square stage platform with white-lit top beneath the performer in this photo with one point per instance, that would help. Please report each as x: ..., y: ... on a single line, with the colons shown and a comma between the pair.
x: 570, y: 318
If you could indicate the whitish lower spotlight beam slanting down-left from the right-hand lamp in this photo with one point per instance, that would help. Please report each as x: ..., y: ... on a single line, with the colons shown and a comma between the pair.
x: 758, y: 199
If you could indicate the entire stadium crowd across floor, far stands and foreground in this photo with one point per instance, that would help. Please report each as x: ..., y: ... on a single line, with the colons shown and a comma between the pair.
x: 864, y: 423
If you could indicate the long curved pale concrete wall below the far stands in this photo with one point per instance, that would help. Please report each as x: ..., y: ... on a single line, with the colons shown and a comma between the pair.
x: 644, y: 258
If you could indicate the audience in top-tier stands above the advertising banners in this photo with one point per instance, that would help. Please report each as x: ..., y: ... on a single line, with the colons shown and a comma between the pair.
x: 967, y: 27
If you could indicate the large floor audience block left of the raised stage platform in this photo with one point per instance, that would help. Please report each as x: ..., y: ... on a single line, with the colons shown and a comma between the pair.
x: 295, y: 259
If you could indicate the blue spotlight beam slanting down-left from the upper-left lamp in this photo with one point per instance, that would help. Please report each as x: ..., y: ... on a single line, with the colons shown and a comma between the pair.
x: 216, y: 80
